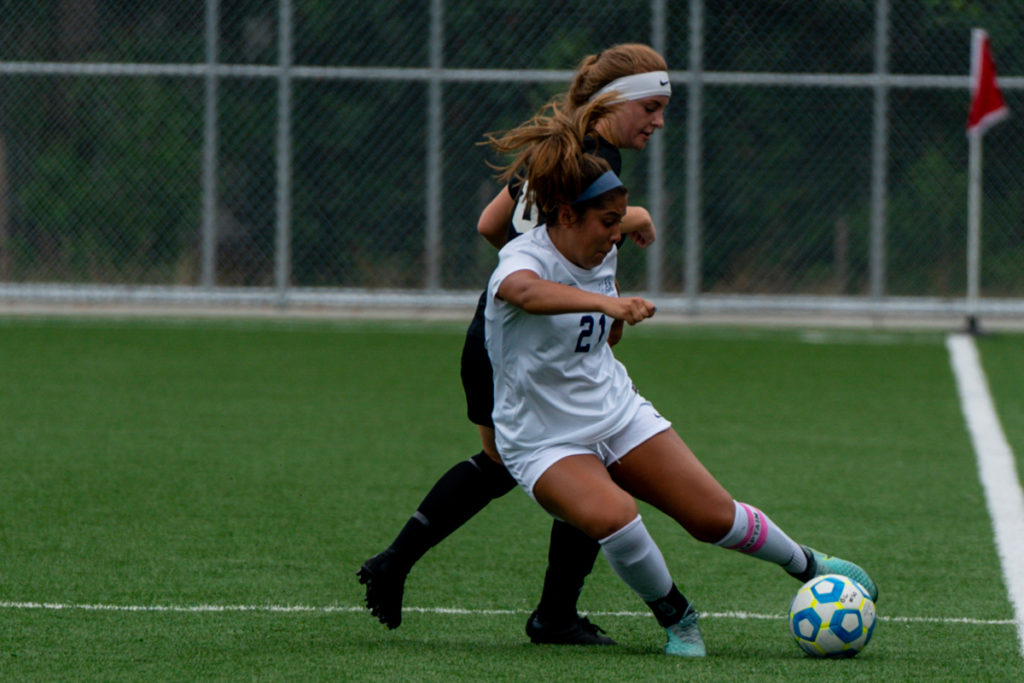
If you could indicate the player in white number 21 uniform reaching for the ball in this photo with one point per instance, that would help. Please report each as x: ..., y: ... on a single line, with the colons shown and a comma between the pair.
x: 570, y: 424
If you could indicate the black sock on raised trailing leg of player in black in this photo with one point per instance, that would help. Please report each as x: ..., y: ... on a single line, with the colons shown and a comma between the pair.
x: 459, y: 494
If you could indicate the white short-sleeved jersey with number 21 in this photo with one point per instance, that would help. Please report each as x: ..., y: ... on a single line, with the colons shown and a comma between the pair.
x: 557, y: 380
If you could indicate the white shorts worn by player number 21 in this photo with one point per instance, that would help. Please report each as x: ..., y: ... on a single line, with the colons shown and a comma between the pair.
x: 528, y: 467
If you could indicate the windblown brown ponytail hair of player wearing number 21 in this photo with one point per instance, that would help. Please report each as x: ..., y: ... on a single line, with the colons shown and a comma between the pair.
x: 550, y: 155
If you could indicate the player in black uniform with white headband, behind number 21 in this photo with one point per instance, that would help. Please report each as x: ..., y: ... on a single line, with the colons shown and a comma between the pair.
x: 639, y: 77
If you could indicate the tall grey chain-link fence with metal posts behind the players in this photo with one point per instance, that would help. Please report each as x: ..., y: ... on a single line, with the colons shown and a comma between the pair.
x: 300, y: 152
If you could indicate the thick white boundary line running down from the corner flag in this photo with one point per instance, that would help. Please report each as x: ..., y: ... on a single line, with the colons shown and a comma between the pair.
x: 997, y: 468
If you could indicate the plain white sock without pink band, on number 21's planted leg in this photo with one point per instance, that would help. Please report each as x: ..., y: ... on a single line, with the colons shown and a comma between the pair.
x: 637, y: 561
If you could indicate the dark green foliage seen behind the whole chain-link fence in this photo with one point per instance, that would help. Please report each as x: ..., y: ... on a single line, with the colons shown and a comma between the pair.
x: 105, y: 172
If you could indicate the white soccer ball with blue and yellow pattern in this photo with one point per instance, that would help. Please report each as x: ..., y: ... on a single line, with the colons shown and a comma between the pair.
x: 832, y: 617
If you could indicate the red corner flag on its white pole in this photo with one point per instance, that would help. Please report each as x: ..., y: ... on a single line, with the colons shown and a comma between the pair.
x: 988, y: 109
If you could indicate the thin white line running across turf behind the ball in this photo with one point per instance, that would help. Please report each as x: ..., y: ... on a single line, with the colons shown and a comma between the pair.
x: 328, y: 610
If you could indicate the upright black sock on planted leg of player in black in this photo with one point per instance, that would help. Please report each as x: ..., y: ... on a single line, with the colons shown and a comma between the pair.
x: 571, y: 560
